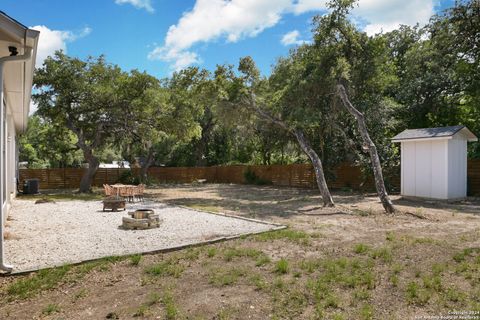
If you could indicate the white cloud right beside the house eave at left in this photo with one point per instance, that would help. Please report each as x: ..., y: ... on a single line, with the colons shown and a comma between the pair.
x: 52, y: 40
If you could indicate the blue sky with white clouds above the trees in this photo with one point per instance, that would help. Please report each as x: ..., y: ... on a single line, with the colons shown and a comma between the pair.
x: 161, y: 36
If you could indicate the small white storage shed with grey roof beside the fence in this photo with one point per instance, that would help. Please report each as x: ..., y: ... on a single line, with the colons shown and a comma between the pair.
x: 434, y: 162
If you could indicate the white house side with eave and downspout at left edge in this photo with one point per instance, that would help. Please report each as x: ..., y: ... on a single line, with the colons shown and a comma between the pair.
x: 18, y: 48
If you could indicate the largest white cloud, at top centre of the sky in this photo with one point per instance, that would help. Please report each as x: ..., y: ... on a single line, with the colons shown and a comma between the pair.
x: 210, y: 20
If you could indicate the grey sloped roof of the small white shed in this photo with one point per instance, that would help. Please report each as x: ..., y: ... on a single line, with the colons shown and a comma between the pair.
x: 430, y: 133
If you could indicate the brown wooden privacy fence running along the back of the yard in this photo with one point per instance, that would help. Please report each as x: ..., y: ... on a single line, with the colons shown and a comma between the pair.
x: 294, y: 175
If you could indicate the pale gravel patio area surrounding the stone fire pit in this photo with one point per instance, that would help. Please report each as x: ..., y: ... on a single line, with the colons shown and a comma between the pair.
x: 54, y: 234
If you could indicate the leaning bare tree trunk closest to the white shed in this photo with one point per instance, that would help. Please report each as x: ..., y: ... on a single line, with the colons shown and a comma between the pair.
x: 372, y: 149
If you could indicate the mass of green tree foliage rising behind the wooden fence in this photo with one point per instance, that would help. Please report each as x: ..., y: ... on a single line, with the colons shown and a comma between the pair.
x: 92, y: 111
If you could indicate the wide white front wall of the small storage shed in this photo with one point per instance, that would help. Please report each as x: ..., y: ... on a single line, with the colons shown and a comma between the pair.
x: 424, y: 169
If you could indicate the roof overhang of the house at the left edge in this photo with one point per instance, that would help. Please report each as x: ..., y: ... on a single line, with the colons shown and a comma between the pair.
x: 18, y: 75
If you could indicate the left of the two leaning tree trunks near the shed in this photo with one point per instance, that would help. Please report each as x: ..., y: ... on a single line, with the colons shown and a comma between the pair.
x: 317, y: 165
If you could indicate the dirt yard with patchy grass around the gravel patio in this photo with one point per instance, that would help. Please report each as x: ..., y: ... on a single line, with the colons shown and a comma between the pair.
x: 347, y: 262
